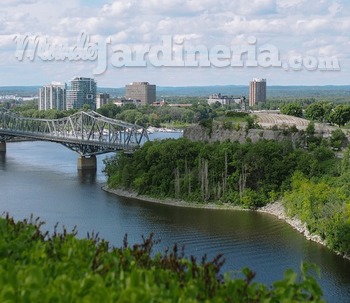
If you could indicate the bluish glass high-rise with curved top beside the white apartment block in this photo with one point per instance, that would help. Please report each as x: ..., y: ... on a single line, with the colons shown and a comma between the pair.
x: 81, y: 91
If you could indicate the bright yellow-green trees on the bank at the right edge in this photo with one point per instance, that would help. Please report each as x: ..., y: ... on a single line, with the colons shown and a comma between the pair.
x: 324, y: 205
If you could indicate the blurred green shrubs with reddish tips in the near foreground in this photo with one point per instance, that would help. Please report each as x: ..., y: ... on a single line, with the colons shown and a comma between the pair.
x: 37, y: 267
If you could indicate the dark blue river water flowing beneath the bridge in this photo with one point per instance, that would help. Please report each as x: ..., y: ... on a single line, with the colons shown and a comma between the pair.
x: 41, y: 178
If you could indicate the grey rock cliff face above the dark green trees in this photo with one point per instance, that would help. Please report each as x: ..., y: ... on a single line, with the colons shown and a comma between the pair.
x: 218, y: 133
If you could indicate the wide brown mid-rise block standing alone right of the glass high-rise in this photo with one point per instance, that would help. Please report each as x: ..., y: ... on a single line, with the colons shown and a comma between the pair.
x: 142, y: 91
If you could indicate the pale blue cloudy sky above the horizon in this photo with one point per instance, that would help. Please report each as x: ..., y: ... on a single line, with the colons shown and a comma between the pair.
x: 175, y: 42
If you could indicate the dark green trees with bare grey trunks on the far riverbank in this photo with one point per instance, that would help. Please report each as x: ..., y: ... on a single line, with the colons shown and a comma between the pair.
x: 244, y: 174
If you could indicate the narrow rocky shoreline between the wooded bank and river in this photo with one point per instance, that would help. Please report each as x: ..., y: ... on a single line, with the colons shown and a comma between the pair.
x: 275, y: 209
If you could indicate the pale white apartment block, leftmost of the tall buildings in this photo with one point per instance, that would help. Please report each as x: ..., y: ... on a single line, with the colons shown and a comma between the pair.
x: 52, y: 96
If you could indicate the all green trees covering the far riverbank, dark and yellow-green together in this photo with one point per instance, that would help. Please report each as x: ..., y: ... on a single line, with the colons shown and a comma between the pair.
x: 249, y: 175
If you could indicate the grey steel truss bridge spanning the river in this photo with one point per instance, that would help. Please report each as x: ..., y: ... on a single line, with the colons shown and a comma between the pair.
x: 87, y: 133
